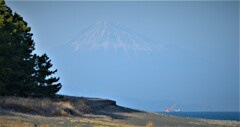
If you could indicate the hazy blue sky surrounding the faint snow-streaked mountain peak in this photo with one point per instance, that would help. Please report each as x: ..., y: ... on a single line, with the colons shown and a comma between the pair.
x: 199, y: 70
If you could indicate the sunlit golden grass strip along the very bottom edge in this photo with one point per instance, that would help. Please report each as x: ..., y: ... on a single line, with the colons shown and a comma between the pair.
x: 73, y: 122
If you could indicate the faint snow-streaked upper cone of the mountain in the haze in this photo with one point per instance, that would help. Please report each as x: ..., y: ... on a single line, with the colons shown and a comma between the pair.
x: 111, y: 36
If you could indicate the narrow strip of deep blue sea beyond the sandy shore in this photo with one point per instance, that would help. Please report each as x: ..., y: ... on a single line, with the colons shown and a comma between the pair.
x: 208, y: 115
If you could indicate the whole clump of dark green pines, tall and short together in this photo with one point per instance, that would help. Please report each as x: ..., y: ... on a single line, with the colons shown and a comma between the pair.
x: 22, y: 73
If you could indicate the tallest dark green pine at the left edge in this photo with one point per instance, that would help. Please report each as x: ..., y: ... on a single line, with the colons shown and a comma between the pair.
x: 16, y: 59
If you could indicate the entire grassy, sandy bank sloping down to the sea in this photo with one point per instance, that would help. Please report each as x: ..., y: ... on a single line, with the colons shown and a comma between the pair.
x: 67, y: 111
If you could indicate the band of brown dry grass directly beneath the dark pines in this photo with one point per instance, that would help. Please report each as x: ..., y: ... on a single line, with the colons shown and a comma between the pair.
x: 44, y: 106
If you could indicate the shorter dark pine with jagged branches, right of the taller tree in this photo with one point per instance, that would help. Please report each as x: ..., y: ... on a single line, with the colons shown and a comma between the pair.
x: 46, y: 85
